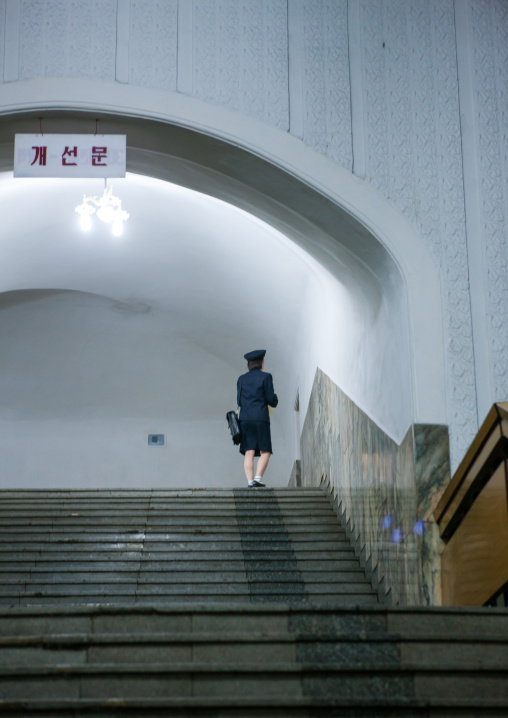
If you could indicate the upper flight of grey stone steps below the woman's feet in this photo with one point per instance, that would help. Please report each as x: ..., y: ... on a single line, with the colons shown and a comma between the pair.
x: 131, y: 547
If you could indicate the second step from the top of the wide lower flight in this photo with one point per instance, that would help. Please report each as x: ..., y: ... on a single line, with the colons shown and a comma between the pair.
x: 248, y: 647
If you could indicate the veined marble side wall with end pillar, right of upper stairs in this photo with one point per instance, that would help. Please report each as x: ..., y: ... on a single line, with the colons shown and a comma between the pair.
x: 384, y: 489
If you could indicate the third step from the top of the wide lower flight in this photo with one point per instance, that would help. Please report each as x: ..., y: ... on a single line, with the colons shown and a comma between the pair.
x: 285, y: 679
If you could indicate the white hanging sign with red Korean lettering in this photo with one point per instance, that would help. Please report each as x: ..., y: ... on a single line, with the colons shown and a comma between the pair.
x: 69, y: 155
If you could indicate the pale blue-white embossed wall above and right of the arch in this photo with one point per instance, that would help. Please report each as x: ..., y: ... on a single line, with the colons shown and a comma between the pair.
x: 384, y: 89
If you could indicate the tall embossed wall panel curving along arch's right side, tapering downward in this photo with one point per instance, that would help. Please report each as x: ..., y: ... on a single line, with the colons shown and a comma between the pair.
x: 414, y: 157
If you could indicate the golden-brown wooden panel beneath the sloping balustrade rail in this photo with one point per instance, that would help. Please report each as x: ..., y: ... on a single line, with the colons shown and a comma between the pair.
x: 475, y: 560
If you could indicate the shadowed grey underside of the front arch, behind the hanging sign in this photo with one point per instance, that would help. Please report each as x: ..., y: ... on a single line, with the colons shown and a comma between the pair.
x: 225, y: 171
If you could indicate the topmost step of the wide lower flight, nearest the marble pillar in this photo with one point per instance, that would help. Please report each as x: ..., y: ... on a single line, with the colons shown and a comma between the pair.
x: 331, y: 620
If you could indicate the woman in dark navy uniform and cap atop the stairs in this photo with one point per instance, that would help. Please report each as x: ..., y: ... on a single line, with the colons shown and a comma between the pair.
x: 254, y: 395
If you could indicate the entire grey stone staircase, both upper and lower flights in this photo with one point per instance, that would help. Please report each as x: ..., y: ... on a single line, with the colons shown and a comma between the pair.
x: 220, y: 603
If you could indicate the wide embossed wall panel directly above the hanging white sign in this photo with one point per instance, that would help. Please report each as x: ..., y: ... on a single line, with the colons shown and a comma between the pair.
x: 68, y: 38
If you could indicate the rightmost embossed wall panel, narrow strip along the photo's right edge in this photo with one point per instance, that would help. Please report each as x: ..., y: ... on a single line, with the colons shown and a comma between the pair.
x: 488, y: 20
